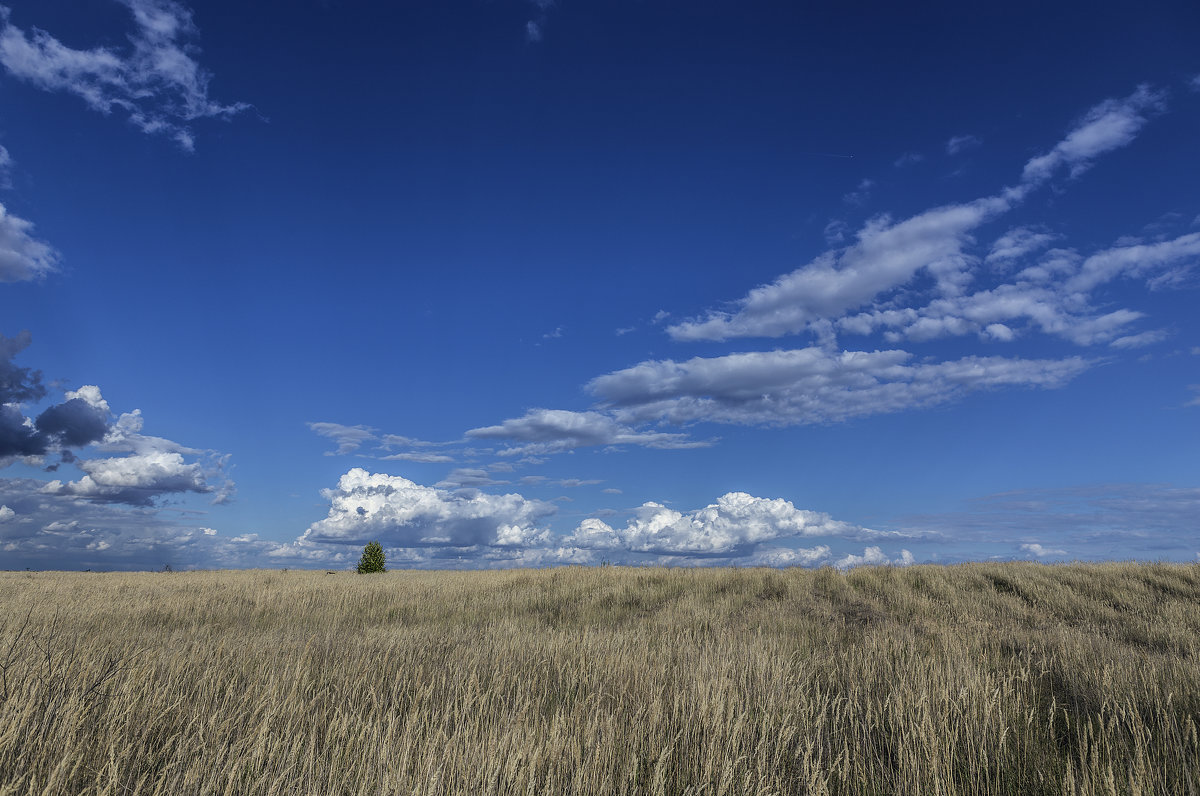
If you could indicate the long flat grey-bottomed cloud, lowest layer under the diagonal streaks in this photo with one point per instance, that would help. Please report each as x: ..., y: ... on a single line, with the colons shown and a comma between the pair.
x: 812, y: 386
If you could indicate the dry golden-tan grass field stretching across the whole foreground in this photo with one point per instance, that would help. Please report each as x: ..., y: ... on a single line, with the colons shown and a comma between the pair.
x: 977, y: 679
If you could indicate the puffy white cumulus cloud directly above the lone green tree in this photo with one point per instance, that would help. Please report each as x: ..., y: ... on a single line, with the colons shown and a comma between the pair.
x: 400, y: 513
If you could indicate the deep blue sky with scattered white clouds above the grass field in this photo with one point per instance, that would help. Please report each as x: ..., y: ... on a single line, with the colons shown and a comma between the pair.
x: 533, y: 283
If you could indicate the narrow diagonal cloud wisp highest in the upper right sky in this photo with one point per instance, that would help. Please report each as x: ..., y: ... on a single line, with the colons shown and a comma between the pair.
x: 1108, y: 127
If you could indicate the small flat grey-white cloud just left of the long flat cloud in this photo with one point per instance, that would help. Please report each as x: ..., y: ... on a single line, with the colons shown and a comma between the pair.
x: 544, y: 432
